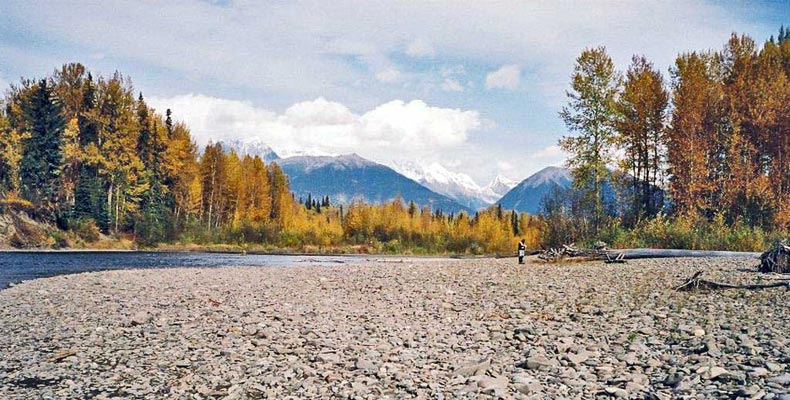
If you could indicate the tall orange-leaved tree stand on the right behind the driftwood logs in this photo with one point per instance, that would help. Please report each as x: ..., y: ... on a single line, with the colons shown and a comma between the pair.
x: 712, y: 142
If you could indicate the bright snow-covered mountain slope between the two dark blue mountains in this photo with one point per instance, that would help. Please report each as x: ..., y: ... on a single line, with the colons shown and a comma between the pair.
x: 456, y: 185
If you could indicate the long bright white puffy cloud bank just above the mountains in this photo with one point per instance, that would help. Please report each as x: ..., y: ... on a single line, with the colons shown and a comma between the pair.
x: 396, y: 128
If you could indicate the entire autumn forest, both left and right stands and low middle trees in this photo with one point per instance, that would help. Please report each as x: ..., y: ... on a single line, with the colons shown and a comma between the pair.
x: 700, y: 159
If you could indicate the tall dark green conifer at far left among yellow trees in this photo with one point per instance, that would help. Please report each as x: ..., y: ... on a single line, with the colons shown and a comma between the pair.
x: 41, y: 161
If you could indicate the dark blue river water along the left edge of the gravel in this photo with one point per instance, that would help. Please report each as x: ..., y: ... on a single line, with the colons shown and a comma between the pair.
x: 21, y: 266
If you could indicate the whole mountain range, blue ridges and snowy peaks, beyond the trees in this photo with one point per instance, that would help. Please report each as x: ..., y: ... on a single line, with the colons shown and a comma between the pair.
x: 348, y: 177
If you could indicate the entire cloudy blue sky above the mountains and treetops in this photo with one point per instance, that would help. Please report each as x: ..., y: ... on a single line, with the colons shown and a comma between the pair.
x: 475, y: 86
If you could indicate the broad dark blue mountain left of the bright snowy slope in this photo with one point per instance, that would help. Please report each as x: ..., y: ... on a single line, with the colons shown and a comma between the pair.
x: 348, y: 177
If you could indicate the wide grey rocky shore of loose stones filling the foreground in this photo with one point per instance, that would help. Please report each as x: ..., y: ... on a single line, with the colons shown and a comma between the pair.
x: 455, y: 329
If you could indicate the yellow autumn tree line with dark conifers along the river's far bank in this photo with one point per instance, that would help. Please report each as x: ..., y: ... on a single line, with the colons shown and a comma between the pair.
x: 86, y: 154
